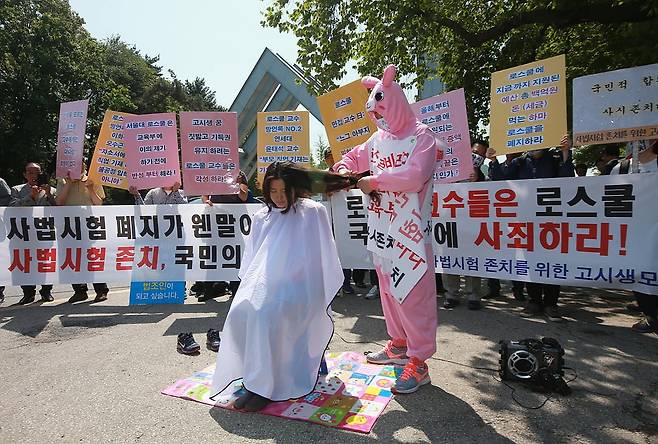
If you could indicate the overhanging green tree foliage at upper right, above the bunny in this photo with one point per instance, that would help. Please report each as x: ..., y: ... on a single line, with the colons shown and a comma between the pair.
x: 466, y: 39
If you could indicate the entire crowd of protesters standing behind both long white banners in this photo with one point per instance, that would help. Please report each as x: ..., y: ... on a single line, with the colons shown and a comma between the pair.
x: 538, y: 164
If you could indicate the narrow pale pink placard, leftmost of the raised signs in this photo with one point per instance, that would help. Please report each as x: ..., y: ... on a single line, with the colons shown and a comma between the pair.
x: 71, y: 138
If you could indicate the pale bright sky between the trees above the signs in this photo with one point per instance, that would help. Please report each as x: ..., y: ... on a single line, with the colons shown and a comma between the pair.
x: 220, y: 41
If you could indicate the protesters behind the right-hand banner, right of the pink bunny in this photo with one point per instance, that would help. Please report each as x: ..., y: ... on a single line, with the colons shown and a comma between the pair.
x: 542, y: 299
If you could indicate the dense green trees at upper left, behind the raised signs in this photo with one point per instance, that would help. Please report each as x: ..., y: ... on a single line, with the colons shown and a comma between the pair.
x: 47, y: 57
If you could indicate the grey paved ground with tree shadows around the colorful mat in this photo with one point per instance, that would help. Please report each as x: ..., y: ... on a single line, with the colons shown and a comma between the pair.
x: 92, y: 373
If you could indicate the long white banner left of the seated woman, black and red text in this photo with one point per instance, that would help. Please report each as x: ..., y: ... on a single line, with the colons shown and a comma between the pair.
x: 122, y: 243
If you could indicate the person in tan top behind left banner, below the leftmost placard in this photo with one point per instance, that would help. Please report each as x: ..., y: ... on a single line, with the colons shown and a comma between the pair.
x: 82, y: 192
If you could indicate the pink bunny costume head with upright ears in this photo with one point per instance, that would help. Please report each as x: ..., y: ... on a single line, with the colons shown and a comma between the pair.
x: 387, y: 105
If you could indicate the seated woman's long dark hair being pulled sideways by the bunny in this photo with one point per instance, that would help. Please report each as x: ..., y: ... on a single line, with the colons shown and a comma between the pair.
x: 301, y: 181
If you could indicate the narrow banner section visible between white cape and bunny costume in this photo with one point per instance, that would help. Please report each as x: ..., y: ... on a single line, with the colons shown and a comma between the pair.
x: 351, y: 229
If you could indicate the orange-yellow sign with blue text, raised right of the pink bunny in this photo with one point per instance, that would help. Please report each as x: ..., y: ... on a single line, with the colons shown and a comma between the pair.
x: 529, y: 106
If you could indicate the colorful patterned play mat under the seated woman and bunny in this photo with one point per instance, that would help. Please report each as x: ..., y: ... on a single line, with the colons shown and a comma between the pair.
x: 350, y: 397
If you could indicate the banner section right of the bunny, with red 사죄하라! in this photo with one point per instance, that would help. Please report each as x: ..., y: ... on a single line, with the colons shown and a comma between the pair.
x: 585, y: 231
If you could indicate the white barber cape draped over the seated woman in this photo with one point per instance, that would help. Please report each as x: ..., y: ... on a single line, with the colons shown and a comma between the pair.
x: 279, y: 324
